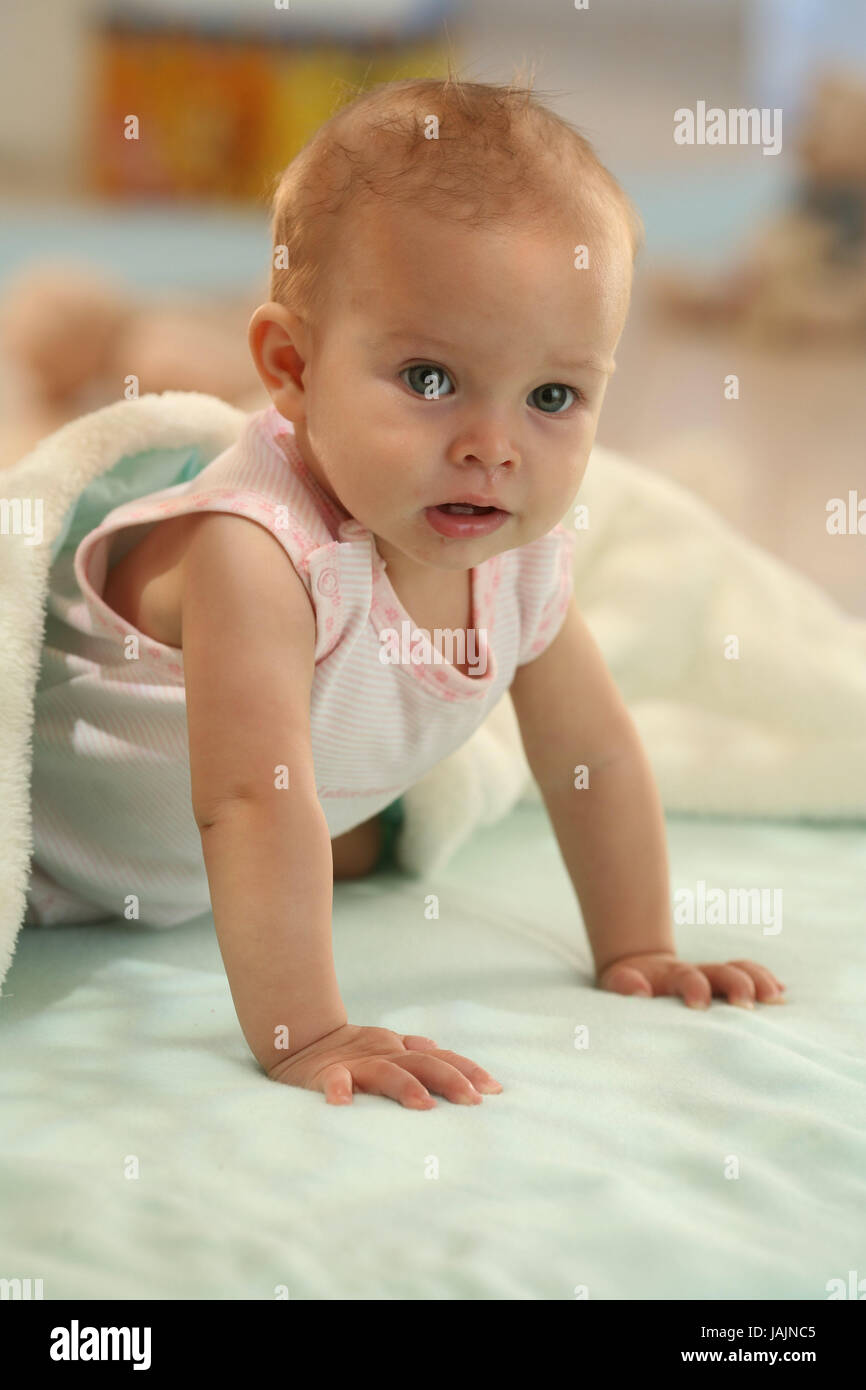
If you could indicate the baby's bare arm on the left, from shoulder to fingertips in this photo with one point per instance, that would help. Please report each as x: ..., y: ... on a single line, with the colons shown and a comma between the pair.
x: 250, y: 640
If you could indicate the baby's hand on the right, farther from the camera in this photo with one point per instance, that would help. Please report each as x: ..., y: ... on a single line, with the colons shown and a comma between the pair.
x: 662, y: 972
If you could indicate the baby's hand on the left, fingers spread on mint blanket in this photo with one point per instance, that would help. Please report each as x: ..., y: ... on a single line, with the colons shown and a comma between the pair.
x: 380, y: 1063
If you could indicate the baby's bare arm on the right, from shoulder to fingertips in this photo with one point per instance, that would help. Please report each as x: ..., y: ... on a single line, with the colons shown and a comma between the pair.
x: 612, y: 832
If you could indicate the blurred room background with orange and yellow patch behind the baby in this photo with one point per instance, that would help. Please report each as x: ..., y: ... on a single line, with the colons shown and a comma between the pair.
x: 155, y: 251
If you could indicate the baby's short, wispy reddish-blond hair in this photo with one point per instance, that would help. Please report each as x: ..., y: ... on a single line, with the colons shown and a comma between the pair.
x: 498, y: 158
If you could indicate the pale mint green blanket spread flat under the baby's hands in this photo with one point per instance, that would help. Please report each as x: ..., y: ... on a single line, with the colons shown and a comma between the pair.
x: 678, y: 1156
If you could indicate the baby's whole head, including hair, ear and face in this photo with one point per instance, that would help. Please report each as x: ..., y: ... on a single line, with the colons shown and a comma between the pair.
x: 439, y: 334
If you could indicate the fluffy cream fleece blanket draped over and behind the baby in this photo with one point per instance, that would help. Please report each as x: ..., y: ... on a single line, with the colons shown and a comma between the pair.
x: 662, y: 582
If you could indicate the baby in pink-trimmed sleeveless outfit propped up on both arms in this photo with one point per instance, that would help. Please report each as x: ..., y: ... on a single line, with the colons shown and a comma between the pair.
x: 452, y: 273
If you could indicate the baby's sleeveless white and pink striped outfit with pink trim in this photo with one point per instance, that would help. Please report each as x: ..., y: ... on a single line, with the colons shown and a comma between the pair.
x: 115, y: 833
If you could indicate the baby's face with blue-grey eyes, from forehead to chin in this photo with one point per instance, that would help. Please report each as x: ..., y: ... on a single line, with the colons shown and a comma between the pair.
x: 454, y: 363
